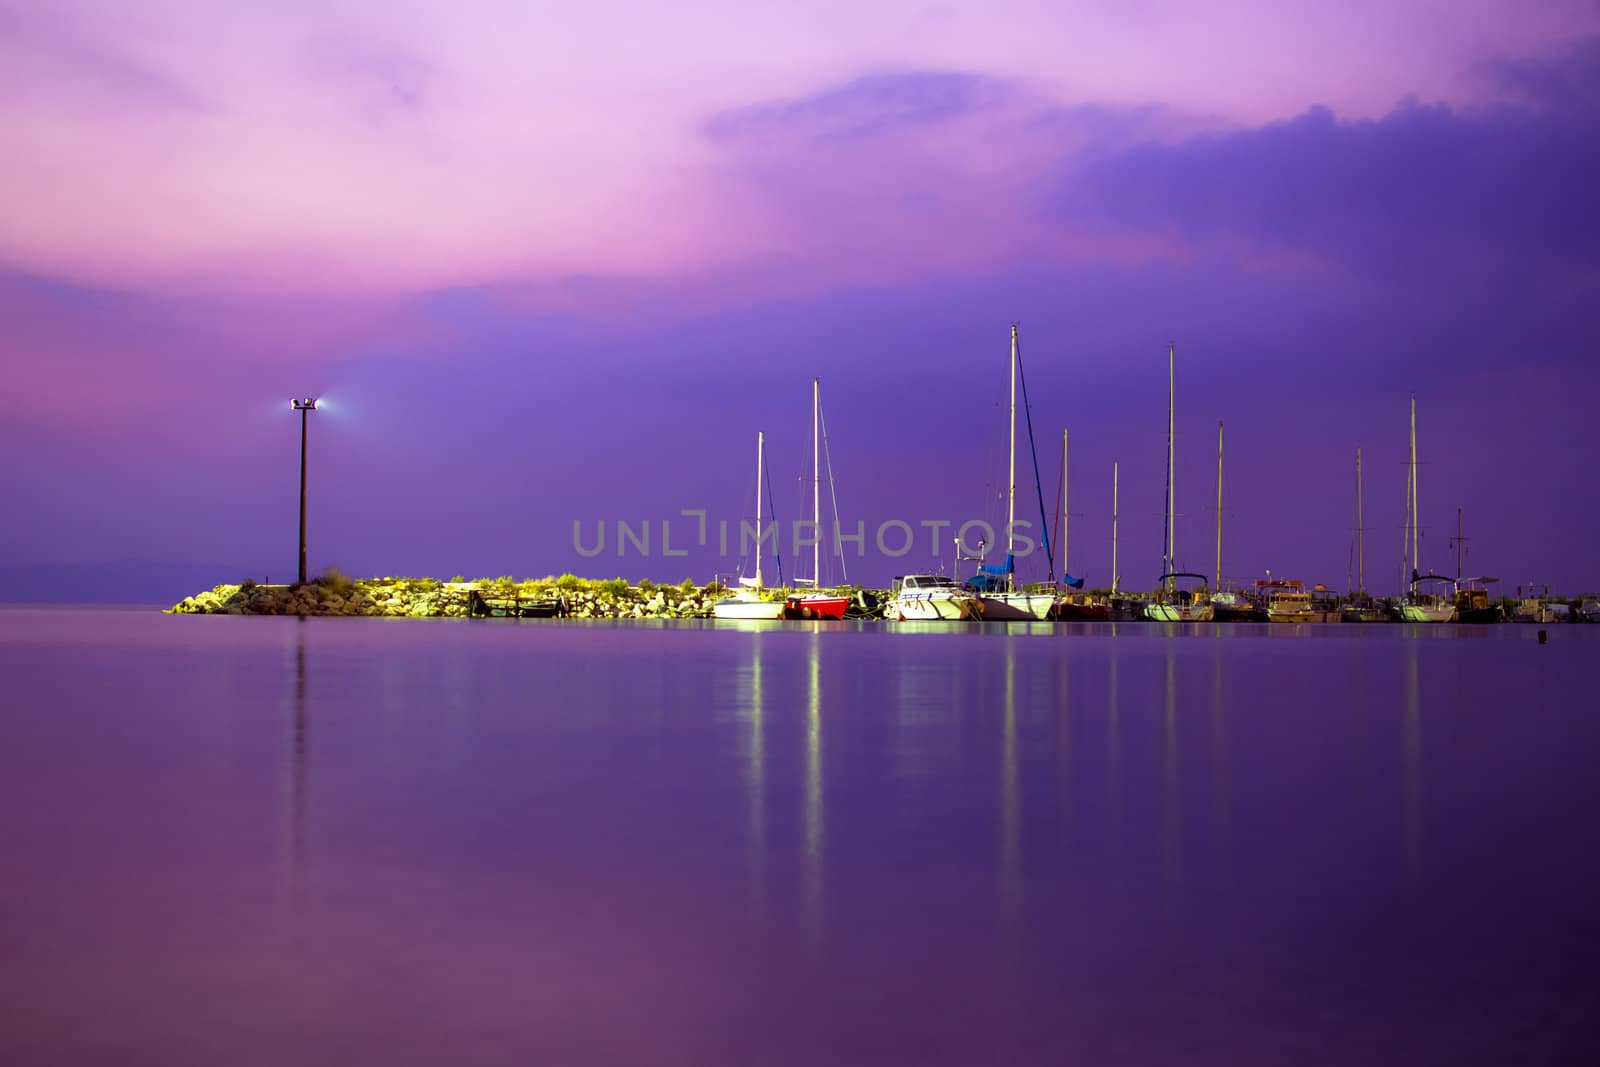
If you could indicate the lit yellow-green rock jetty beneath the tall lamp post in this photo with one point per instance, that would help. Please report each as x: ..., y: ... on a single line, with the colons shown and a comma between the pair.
x: 431, y: 599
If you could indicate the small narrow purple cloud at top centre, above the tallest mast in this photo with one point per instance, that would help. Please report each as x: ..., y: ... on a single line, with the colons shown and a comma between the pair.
x: 871, y: 106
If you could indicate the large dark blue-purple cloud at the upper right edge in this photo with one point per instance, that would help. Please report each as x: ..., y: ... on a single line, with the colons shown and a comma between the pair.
x: 1505, y: 190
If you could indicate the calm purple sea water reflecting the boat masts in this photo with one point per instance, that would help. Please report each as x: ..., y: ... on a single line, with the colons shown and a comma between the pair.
x: 404, y: 842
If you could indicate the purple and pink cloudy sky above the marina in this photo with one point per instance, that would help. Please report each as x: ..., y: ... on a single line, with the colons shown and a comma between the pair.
x: 551, y: 268
